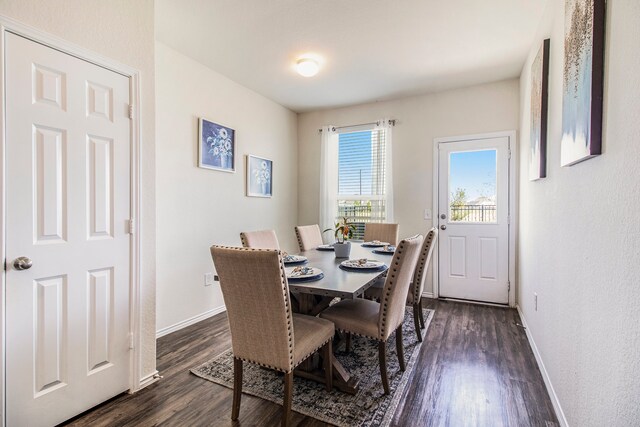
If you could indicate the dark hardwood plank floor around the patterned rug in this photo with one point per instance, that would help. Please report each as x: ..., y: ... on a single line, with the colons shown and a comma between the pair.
x: 475, y: 368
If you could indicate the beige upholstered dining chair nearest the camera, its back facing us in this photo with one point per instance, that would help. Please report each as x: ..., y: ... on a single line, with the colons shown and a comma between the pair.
x: 263, y: 328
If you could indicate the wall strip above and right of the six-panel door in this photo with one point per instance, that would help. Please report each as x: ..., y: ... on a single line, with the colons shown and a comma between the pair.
x: 121, y: 30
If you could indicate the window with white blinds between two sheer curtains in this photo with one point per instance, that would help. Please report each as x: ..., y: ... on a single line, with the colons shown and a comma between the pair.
x: 361, y: 178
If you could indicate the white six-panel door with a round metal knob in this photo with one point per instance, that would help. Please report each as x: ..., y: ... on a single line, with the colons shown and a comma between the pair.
x: 67, y: 210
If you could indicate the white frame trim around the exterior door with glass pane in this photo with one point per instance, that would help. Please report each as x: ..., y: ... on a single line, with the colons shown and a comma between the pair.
x: 513, y: 214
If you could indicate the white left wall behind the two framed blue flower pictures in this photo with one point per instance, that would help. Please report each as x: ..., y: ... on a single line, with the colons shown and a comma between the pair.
x: 200, y: 207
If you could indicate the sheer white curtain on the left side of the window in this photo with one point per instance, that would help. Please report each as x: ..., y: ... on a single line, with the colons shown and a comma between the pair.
x: 328, y: 180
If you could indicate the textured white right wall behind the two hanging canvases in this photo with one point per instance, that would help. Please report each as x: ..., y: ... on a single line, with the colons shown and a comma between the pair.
x: 579, y: 245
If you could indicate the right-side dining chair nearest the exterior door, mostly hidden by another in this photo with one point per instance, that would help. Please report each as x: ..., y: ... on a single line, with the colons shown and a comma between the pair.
x: 414, y: 297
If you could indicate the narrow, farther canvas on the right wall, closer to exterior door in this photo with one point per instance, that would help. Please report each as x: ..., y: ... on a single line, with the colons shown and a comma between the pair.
x: 539, y: 102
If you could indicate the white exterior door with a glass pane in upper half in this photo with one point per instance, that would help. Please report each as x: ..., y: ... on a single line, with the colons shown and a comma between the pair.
x: 473, y: 215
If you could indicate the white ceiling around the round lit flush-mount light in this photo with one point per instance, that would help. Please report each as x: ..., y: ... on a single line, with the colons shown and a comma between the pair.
x: 373, y: 49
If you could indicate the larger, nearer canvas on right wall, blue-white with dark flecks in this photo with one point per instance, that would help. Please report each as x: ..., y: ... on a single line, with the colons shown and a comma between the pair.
x: 582, y: 80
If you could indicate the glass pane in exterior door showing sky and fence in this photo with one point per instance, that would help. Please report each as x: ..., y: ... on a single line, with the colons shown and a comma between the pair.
x: 472, y: 186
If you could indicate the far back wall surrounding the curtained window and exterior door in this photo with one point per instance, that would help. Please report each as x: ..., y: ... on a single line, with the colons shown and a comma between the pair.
x: 477, y: 109
